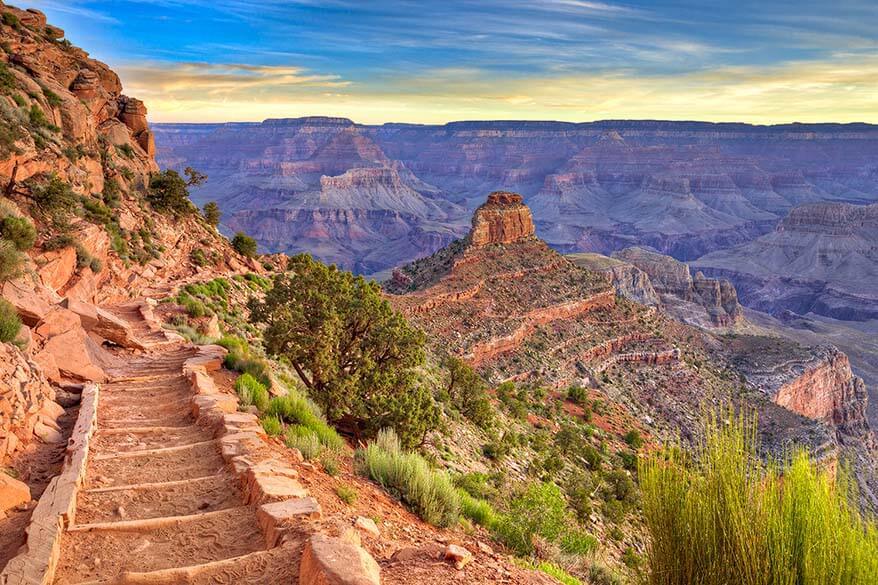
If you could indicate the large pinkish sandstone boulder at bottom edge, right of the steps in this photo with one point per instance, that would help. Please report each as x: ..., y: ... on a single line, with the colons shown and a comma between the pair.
x: 332, y: 561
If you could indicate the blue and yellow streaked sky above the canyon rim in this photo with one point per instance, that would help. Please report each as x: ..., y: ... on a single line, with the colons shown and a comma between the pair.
x: 377, y: 61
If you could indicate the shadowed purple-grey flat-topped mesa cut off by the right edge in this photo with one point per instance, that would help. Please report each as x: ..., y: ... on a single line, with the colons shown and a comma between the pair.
x: 822, y: 259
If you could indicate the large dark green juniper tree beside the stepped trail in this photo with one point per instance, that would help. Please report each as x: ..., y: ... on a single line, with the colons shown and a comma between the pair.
x: 354, y: 353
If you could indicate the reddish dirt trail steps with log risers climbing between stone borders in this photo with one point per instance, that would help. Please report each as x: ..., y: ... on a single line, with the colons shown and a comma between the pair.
x: 158, y: 505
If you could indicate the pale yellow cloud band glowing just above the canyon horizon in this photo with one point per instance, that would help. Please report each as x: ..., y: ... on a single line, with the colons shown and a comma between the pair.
x: 808, y: 91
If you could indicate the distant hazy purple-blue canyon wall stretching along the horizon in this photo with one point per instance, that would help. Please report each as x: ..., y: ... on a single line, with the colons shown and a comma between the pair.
x: 682, y: 188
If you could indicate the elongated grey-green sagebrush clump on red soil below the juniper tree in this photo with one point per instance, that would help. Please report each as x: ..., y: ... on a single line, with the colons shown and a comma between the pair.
x: 408, y: 476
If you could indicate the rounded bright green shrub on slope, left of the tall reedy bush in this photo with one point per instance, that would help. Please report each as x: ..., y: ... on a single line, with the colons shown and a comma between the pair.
x: 539, y: 511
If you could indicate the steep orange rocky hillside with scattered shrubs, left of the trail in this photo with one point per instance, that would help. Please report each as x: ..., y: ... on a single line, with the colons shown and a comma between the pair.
x: 76, y: 156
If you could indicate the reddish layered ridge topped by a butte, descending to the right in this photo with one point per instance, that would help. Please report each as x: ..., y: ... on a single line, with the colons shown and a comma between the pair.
x: 517, y: 310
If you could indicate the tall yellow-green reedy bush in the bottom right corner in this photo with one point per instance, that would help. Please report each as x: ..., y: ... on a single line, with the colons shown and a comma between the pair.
x: 725, y: 517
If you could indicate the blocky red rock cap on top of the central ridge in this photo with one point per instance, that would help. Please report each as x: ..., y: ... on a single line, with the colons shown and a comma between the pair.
x: 503, y: 219
